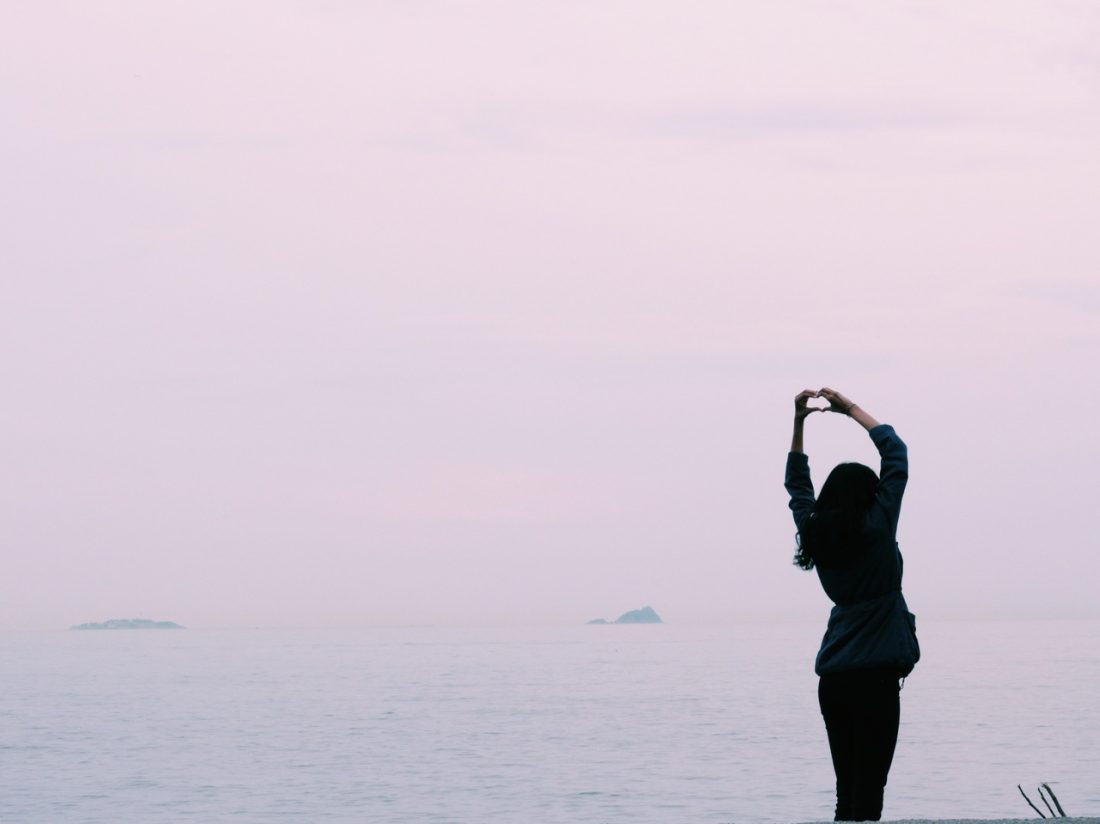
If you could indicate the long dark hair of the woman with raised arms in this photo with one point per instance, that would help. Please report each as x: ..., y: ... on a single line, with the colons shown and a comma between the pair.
x: 833, y: 535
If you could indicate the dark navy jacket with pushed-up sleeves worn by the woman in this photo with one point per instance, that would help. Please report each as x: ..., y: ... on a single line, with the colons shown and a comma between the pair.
x: 871, y: 625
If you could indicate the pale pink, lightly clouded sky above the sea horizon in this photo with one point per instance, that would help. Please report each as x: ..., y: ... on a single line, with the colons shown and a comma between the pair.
x: 371, y: 314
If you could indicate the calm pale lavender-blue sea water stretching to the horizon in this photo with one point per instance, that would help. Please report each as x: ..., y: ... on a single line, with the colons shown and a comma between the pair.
x: 579, y: 724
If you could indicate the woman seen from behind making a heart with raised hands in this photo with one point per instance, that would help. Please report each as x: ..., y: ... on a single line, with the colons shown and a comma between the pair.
x: 849, y: 535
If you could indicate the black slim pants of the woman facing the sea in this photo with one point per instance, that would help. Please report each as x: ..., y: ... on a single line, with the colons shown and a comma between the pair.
x: 862, y: 711
